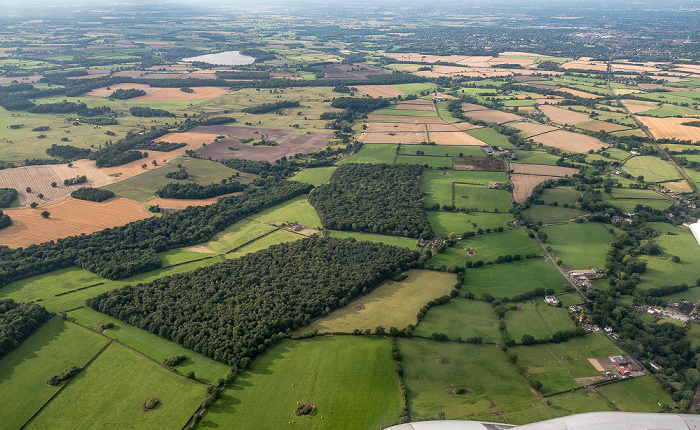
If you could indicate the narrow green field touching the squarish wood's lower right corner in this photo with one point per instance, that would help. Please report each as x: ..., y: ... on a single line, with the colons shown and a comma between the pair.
x: 444, y: 223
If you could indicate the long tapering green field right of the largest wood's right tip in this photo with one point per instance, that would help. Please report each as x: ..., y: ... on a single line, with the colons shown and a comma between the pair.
x: 486, y: 247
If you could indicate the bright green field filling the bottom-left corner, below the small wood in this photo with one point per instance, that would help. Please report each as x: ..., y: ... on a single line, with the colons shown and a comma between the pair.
x: 50, y: 350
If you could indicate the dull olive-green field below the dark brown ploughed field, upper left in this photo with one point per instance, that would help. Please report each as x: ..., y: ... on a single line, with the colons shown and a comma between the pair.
x: 143, y: 187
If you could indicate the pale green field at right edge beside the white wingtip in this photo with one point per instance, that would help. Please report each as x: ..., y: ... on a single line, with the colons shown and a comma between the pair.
x: 661, y: 270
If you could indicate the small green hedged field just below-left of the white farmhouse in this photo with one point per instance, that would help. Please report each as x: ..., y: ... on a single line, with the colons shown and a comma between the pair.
x: 540, y: 321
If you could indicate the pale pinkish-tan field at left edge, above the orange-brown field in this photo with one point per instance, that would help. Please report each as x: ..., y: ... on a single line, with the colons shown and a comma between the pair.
x: 39, y: 178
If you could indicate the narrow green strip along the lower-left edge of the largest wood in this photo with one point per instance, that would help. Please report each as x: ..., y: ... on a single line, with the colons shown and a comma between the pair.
x: 157, y: 348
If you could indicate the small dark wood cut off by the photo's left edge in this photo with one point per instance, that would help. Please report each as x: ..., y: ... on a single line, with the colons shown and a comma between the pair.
x: 17, y: 322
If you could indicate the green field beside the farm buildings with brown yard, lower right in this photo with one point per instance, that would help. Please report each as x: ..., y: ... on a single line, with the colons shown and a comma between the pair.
x: 557, y: 365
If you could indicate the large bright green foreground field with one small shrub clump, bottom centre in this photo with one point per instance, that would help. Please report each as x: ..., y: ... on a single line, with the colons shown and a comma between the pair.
x: 350, y: 380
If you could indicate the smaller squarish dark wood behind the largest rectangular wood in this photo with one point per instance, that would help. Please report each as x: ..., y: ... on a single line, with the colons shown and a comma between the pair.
x: 373, y: 198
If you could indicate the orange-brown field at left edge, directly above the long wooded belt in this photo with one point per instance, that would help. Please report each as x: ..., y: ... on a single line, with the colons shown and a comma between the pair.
x: 68, y: 217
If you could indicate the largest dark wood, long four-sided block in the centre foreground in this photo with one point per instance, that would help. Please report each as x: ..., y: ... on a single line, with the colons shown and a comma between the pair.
x: 239, y: 308
